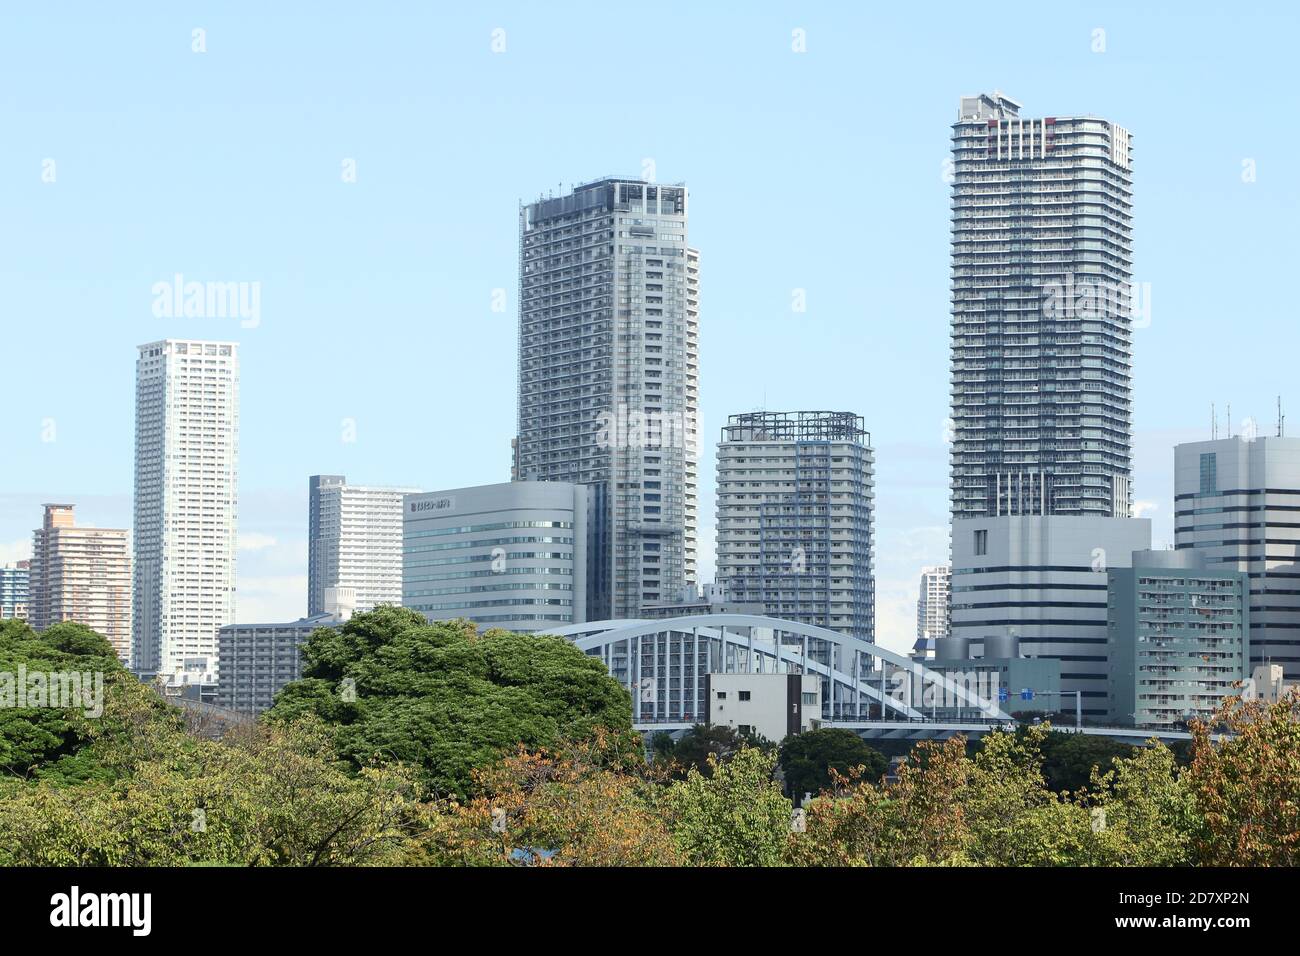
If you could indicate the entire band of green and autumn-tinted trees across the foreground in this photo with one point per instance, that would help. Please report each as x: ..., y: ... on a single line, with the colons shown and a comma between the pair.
x: 418, y: 745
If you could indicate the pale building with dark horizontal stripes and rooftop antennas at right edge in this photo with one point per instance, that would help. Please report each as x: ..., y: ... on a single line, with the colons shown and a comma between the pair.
x: 1238, y: 503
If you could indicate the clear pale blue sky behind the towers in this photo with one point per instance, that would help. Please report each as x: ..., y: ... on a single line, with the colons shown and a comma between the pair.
x: 818, y: 171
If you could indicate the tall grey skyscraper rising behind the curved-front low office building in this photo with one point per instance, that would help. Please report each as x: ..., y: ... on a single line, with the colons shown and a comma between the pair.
x: 609, y: 379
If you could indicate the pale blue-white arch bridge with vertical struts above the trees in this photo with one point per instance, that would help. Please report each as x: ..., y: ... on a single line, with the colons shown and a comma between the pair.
x: 664, y: 667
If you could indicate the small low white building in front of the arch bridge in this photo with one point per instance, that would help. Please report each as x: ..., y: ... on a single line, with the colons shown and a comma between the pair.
x: 770, y: 706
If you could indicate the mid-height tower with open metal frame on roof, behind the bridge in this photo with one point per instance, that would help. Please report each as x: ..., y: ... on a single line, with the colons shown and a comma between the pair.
x: 795, y: 512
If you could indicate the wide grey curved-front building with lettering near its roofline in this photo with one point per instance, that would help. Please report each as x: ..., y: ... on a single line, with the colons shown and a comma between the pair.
x: 510, y: 556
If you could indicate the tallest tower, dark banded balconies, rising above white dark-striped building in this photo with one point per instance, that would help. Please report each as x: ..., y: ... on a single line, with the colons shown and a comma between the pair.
x: 1042, y: 328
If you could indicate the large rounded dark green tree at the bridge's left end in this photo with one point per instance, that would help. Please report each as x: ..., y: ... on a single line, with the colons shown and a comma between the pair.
x: 447, y: 699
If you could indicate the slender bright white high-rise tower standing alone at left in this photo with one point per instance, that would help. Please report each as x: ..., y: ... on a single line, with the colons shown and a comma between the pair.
x: 187, y: 466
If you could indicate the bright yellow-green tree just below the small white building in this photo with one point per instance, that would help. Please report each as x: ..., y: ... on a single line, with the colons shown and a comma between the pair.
x: 734, y: 817
